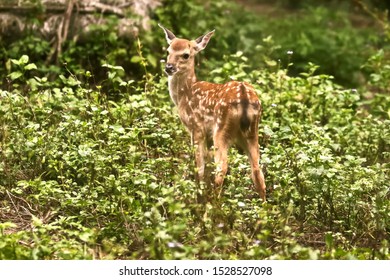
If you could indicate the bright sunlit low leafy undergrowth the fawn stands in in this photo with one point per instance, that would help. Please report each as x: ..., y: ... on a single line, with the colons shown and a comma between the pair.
x: 90, y: 175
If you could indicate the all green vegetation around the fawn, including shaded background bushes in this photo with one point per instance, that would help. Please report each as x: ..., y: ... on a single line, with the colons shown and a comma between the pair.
x: 94, y: 162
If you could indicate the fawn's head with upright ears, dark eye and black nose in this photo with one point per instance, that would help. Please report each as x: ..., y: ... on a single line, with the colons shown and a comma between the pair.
x: 181, y: 52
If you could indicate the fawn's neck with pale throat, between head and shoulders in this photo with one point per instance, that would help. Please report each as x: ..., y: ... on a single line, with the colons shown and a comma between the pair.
x: 180, y: 86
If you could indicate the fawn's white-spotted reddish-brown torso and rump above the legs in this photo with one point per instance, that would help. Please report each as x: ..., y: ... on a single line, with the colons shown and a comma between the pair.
x: 233, y: 106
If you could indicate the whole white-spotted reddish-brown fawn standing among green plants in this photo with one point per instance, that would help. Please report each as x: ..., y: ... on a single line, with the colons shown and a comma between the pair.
x: 226, y: 113
